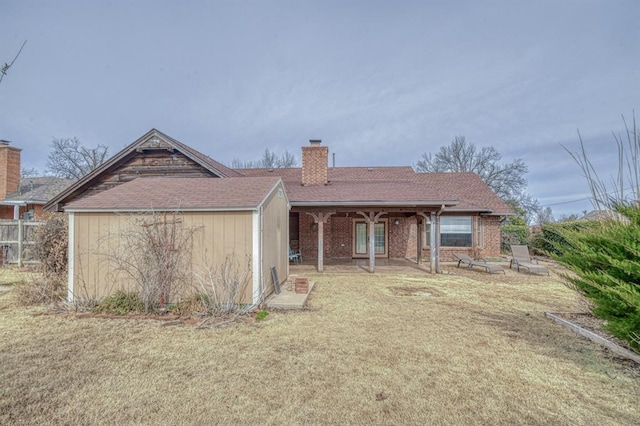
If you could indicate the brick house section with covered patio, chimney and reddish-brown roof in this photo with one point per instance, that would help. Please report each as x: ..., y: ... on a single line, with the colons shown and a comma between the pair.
x: 387, y: 212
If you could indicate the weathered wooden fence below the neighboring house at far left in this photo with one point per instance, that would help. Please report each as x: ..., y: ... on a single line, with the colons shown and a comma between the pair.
x: 17, y: 241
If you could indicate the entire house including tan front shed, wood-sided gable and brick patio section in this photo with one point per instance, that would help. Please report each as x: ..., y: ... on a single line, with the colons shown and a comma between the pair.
x: 325, y: 212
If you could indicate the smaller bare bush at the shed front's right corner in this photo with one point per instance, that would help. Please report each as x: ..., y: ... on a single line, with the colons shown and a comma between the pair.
x: 223, y: 287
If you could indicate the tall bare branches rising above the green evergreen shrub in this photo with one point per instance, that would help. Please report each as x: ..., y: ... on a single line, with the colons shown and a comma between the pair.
x: 624, y: 186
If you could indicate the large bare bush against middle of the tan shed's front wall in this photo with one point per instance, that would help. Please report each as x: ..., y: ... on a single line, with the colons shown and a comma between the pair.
x: 154, y: 251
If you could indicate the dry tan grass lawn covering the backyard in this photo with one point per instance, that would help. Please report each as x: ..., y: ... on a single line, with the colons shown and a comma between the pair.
x: 372, y: 349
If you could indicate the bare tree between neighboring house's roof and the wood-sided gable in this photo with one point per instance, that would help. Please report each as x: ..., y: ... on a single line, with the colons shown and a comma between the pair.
x: 69, y: 159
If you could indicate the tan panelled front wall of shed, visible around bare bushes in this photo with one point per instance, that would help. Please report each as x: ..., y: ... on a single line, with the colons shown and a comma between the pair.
x: 95, y: 237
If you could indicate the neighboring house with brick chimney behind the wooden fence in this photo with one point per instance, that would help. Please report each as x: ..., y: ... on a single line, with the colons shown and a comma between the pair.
x: 24, y: 198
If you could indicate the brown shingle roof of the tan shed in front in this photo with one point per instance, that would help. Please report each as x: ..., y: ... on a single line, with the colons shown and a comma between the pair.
x: 162, y: 193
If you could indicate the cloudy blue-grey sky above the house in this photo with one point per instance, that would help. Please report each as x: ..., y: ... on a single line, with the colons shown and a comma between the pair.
x: 379, y: 82
